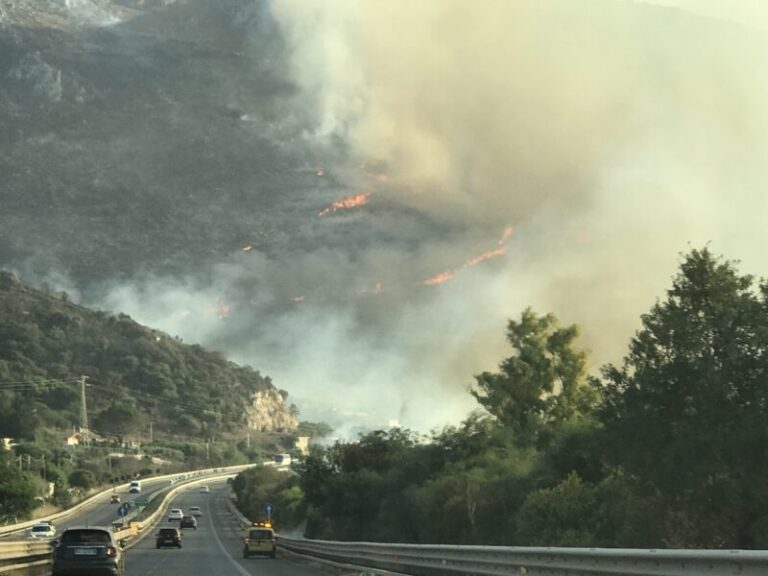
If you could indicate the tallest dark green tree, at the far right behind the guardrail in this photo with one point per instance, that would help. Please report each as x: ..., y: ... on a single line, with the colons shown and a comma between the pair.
x: 688, y: 409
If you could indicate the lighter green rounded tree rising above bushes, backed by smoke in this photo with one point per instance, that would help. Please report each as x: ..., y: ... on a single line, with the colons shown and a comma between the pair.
x: 542, y: 382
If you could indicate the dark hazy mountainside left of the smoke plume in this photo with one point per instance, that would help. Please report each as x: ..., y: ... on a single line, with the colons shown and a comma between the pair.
x: 137, y: 133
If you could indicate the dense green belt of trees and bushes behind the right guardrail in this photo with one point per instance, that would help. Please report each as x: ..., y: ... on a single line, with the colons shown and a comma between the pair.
x: 669, y: 449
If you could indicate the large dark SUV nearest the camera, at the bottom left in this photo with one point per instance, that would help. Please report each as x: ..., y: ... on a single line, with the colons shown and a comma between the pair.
x: 90, y: 550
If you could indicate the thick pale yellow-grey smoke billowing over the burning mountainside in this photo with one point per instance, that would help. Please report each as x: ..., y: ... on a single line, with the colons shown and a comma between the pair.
x: 609, y: 136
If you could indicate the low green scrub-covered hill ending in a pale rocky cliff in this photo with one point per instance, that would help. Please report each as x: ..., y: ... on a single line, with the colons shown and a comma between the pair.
x: 135, y: 375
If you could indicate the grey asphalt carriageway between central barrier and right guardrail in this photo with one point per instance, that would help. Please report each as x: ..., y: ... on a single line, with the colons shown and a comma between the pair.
x: 214, y: 549
